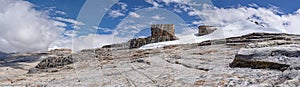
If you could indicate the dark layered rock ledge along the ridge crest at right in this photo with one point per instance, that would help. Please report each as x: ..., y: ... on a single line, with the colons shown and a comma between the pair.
x: 256, y: 40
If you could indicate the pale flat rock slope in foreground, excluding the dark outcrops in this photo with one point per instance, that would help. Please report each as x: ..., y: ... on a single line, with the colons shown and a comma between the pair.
x: 201, y: 64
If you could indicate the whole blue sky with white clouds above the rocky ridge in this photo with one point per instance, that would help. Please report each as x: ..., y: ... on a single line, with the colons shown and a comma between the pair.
x: 34, y: 25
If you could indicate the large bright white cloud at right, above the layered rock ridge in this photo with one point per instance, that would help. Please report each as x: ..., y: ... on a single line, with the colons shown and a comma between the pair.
x: 248, y: 19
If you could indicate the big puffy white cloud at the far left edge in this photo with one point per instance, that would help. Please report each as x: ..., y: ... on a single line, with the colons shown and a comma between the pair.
x: 23, y: 29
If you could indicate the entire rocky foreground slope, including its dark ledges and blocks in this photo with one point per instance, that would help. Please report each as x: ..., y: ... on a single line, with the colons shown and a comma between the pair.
x: 256, y: 60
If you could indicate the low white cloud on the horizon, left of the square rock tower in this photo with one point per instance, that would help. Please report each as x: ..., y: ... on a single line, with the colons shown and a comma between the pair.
x: 85, y: 42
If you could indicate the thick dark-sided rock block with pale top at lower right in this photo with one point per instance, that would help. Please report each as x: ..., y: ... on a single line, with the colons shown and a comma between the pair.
x: 278, y: 58
